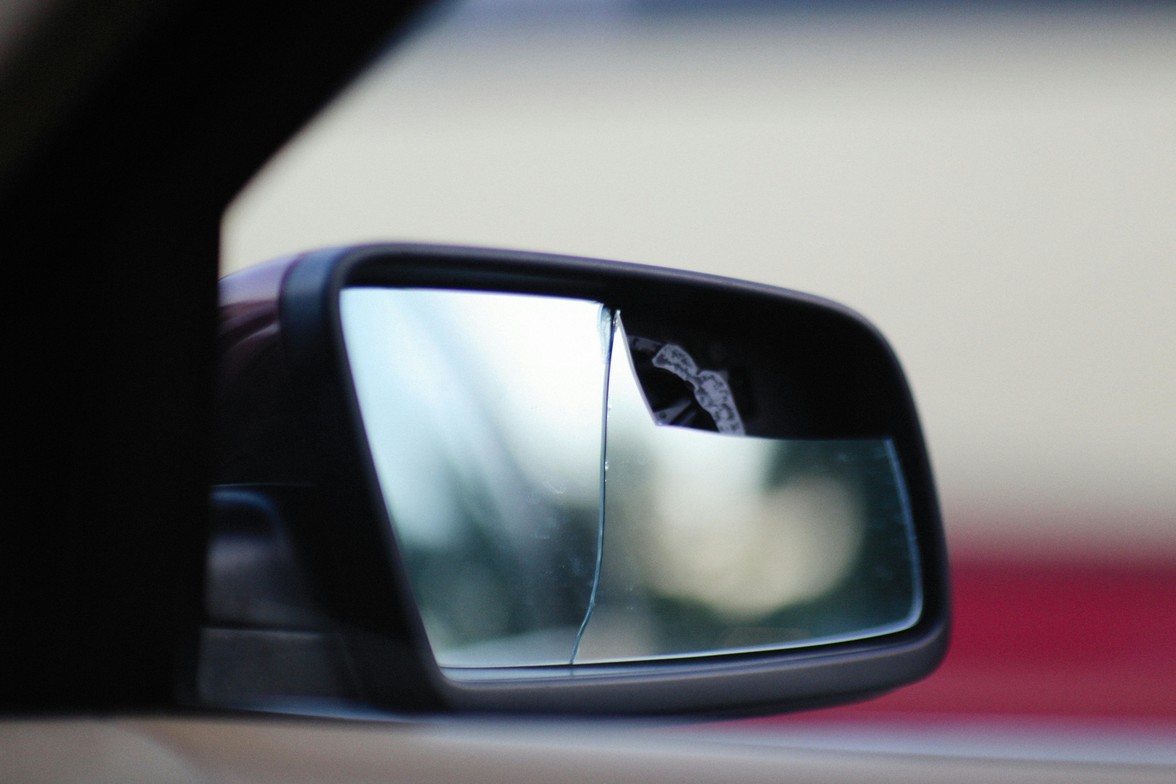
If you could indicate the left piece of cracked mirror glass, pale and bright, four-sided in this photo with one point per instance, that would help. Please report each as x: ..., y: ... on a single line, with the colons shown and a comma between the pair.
x: 484, y: 413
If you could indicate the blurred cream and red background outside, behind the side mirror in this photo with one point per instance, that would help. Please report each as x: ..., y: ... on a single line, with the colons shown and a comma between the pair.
x: 994, y: 185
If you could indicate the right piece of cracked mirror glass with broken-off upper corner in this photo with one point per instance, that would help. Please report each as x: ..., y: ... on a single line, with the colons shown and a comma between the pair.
x: 719, y: 544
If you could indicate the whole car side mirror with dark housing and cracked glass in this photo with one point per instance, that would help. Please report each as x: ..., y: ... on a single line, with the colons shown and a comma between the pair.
x: 463, y: 480
